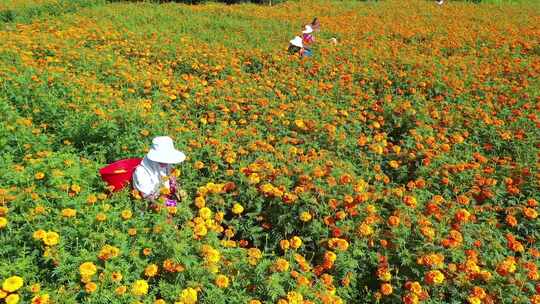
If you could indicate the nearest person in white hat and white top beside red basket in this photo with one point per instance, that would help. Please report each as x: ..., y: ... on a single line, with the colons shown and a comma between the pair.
x: 154, y: 172
